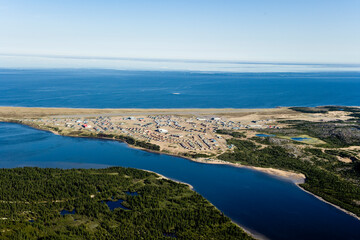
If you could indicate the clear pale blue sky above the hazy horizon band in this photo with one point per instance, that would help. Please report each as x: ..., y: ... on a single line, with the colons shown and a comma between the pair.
x: 253, y: 30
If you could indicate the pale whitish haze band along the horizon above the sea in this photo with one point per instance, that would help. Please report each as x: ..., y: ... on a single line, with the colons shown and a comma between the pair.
x: 77, y: 62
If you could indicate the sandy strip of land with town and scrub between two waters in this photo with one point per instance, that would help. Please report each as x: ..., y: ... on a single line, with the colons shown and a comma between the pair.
x: 317, y: 147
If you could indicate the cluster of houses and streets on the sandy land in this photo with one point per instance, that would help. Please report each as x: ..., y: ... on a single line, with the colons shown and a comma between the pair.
x: 172, y: 133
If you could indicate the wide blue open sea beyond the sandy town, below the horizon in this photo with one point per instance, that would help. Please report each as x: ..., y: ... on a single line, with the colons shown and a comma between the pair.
x: 136, y: 89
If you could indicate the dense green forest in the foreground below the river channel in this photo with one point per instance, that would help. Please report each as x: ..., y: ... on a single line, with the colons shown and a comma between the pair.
x: 31, y: 200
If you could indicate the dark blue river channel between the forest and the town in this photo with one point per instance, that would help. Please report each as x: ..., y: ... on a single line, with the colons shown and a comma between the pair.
x: 264, y: 204
